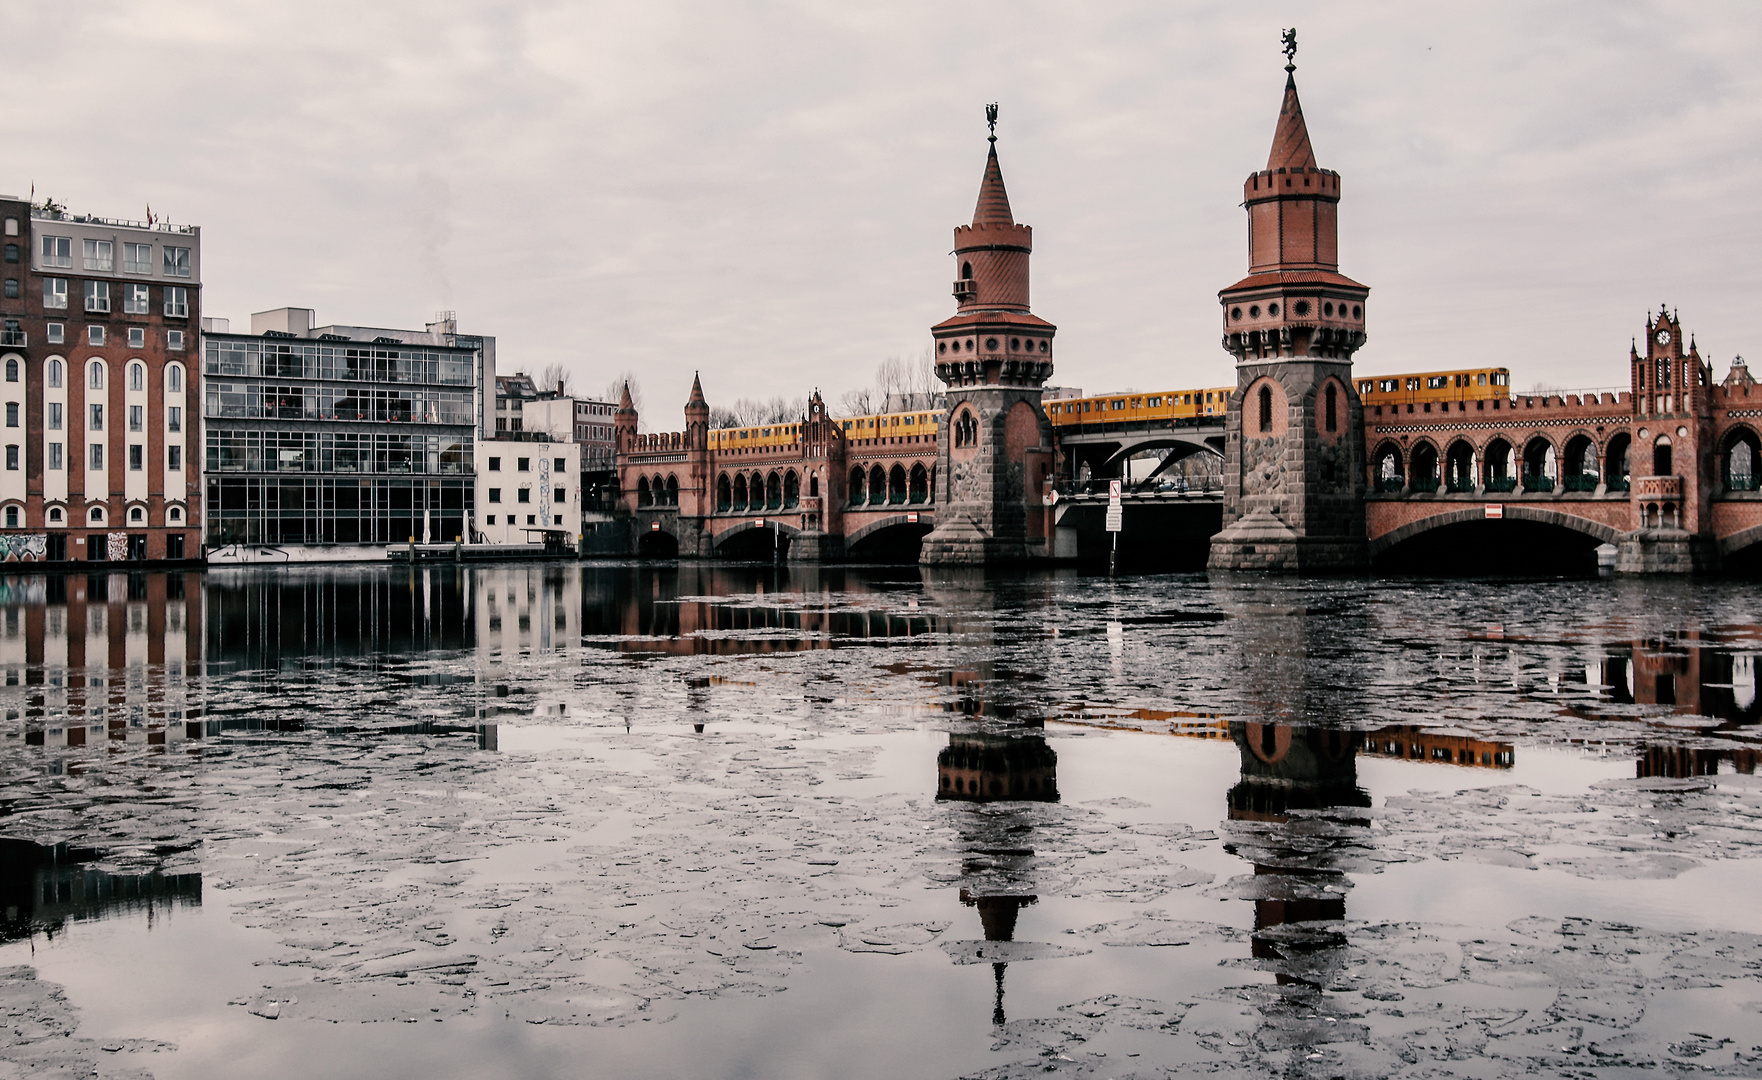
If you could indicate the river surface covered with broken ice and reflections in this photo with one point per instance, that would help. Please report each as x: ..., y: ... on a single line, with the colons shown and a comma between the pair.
x: 748, y: 822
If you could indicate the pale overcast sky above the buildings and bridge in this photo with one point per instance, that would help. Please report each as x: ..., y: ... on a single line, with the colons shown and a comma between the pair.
x: 767, y: 191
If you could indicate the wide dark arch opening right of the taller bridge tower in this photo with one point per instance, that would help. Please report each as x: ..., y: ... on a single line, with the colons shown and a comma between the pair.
x: 1481, y: 547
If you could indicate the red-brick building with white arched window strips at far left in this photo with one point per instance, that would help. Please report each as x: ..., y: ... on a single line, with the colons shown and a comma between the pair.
x: 98, y: 330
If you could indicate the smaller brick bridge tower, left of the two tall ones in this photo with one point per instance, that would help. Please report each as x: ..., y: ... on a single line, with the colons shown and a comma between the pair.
x: 995, y: 448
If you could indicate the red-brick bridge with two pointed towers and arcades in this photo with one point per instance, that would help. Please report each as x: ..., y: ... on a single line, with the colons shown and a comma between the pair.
x: 1321, y: 470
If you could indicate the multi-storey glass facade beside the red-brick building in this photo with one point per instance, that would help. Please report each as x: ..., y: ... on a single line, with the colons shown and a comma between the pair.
x: 299, y: 452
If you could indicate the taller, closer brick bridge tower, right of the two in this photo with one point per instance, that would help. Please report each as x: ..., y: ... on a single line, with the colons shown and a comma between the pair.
x: 1294, y: 440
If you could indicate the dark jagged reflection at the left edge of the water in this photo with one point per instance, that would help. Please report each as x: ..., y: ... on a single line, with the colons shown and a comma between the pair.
x: 47, y: 887
